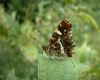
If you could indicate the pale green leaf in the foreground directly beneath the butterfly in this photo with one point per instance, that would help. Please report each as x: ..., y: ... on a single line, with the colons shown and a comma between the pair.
x: 52, y: 68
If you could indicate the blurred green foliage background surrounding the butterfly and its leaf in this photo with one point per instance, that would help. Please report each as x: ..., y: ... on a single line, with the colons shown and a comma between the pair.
x: 26, y: 25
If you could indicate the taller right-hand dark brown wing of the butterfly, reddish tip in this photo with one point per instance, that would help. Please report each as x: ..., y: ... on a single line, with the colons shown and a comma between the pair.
x: 65, y: 28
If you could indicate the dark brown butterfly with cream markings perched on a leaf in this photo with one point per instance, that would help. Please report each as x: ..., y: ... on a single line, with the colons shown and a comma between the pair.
x: 61, y: 42
